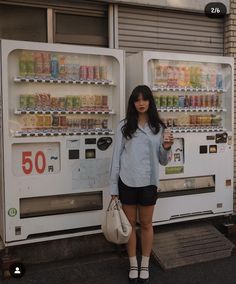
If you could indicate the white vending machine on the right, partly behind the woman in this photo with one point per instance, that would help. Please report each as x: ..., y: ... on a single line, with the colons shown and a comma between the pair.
x: 194, y: 97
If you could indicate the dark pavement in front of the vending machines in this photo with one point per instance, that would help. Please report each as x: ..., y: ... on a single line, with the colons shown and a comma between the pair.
x: 112, y: 268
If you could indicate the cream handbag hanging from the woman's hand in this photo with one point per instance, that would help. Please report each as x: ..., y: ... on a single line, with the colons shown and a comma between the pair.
x: 116, y: 227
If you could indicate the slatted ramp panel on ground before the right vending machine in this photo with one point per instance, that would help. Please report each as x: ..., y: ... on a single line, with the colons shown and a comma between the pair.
x: 189, y: 244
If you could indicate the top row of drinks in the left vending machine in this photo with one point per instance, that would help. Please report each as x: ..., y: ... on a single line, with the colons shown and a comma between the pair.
x: 53, y: 65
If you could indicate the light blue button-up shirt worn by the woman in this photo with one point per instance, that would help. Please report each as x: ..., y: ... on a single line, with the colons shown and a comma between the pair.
x: 137, y: 160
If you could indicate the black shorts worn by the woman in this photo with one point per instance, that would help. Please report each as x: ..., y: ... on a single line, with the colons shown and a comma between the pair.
x: 145, y: 195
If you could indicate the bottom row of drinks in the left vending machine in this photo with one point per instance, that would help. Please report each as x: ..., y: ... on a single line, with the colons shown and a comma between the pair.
x: 47, y: 121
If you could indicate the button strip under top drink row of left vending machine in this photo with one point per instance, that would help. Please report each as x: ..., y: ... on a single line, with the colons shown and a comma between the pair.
x: 61, y: 81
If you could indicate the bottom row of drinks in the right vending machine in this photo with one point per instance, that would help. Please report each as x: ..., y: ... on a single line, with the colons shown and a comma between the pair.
x: 192, y: 120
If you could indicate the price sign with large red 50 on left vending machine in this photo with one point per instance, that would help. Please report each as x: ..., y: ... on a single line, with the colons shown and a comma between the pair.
x: 35, y: 159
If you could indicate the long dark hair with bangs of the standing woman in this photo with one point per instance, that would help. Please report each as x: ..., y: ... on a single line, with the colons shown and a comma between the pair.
x: 131, y: 120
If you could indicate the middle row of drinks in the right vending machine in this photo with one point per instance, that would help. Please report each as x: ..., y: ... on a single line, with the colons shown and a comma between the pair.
x: 182, y: 101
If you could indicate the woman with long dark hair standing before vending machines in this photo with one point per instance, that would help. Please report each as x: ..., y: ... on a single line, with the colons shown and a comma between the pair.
x: 141, y: 144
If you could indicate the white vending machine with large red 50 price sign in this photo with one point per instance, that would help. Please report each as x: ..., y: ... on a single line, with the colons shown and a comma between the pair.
x: 60, y: 105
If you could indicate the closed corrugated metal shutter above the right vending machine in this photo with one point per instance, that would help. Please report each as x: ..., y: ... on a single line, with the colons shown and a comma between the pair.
x: 141, y: 28
